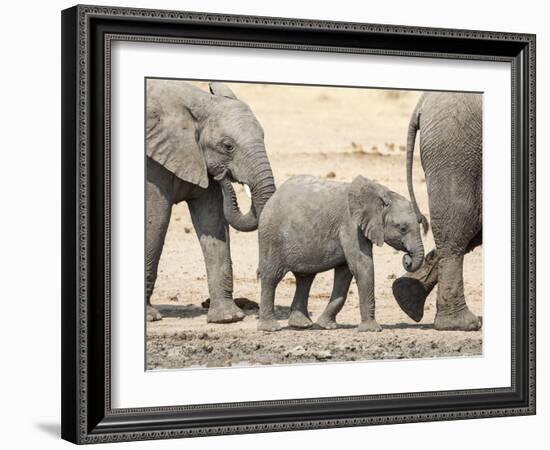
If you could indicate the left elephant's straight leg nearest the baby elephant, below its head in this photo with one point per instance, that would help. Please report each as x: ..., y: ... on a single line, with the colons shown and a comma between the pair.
x: 213, y: 233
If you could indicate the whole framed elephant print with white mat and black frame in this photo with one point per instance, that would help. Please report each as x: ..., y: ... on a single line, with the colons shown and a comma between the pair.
x: 280, y: 224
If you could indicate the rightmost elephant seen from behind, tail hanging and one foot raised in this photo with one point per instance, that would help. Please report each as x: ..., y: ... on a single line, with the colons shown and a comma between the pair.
x: 450, y: 127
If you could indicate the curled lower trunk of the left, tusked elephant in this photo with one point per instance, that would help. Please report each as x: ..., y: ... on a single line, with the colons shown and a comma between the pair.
x: 262, y: 188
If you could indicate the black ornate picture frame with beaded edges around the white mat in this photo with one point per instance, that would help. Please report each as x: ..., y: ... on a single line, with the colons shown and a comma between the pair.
x: 87, y: 32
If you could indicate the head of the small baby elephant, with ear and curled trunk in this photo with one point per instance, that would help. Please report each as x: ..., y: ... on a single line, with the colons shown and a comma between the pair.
x: 385, y: 216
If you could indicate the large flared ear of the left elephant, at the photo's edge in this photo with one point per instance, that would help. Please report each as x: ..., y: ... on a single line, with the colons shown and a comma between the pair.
x: 171, y: 135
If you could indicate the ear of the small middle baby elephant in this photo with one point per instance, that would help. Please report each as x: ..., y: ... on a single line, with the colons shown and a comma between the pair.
x: 368, y: 201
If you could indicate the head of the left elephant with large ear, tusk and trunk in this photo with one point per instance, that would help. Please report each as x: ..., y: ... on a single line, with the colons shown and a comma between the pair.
x: 199, y: 135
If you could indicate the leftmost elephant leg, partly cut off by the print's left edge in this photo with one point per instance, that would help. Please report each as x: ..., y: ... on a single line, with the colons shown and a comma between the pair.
x: 159, y: 208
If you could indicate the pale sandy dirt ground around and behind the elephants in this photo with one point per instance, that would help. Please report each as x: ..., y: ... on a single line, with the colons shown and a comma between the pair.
x: 328, y: 132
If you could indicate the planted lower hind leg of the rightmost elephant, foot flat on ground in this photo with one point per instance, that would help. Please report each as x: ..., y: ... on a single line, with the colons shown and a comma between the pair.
x: 452, y: 311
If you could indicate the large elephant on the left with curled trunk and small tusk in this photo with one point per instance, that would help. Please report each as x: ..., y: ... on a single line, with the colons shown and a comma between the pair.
x: 197, y: 143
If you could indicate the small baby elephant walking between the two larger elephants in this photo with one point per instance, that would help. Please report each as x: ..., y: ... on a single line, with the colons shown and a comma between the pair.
x: 310, y: 226
